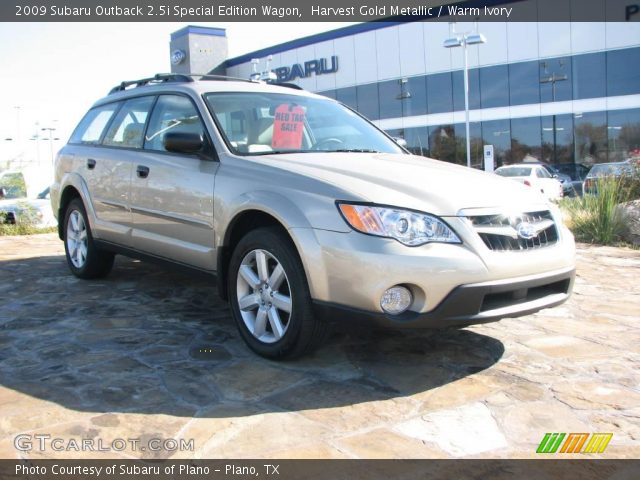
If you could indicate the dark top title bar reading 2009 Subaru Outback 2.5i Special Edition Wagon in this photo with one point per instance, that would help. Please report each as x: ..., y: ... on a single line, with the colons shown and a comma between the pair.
x: 318, y: 11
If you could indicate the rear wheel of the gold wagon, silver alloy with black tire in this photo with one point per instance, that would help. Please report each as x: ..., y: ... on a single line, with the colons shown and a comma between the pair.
x: 84, y: 258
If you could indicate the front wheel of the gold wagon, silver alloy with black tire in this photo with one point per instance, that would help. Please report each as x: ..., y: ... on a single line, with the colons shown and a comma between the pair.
x: 269, y: 297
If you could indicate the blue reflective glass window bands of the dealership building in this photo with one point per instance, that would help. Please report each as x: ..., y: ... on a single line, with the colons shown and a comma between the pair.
x: 589, y: 137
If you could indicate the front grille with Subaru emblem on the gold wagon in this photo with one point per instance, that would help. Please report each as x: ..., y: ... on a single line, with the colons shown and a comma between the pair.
x: 524, y: 231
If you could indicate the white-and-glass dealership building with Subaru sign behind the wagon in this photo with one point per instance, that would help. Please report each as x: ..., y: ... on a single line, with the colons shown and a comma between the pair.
x: 560, y: 92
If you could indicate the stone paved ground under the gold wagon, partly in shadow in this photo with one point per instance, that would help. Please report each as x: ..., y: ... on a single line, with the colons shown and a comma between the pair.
x: 148, y: 354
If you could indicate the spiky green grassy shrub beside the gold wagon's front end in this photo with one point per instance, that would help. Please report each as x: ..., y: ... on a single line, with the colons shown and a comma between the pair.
x: 594, y: 218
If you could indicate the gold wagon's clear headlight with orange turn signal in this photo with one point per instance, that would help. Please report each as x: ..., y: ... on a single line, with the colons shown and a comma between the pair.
x: 408, y: 227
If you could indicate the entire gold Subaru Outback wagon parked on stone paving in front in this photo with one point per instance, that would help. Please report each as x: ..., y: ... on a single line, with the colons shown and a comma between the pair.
x: 307, y: 213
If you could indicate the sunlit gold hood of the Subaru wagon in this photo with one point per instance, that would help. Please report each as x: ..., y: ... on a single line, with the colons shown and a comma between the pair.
x: 408, y: 181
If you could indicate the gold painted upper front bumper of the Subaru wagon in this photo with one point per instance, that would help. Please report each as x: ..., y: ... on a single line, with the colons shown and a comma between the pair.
x: 354, y: 270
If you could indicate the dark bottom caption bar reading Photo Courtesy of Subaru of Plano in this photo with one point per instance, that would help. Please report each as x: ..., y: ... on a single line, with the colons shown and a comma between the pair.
x: 565, y: 469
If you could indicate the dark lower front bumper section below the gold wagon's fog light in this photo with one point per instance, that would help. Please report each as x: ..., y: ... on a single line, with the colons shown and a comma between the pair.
x: 467, y: 304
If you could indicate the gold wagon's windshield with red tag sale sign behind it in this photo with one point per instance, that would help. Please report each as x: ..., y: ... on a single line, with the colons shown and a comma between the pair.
x: 263, y: 123
